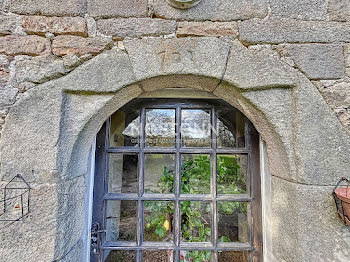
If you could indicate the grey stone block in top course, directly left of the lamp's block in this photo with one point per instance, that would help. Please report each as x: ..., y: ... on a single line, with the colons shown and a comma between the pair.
x: 117, y: 8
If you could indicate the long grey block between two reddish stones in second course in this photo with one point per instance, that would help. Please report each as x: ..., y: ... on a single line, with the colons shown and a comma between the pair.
x: 135, y: 27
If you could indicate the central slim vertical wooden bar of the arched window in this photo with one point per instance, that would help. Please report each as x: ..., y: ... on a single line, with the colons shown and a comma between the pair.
x: 177, y: 185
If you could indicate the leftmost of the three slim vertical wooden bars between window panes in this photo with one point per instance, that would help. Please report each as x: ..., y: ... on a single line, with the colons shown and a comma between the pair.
x: 141, y: 167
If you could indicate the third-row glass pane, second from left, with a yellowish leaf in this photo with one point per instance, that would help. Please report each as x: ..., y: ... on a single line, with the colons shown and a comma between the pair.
x: 158, y: 221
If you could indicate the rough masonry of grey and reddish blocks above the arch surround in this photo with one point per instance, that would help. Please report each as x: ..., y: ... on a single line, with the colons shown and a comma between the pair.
x: 43, y: 40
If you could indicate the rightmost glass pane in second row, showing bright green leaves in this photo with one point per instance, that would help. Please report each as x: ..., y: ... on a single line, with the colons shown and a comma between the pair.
x: 231, y: 174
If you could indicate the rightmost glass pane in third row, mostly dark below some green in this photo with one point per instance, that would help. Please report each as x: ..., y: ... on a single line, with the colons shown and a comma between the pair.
x: 232, y: 221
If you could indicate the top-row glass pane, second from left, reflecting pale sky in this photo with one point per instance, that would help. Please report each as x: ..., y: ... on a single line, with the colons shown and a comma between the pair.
x: 160, y: 127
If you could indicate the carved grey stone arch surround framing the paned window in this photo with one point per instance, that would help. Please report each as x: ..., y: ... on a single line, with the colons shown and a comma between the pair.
x: 49, y: 132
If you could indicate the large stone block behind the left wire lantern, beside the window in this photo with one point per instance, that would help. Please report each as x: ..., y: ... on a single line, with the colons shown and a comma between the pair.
x: 55, y: 209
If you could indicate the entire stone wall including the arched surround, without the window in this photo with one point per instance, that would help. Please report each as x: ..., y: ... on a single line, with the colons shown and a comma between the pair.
x: 65, y: 66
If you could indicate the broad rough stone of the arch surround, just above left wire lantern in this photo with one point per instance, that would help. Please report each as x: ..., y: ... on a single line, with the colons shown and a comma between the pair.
x: 39, y: 134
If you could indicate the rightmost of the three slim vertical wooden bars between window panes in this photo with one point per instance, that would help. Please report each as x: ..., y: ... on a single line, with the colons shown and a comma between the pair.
x: 214, y: 229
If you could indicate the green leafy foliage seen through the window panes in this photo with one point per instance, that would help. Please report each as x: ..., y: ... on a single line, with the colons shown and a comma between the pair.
x: 195, y: 179
